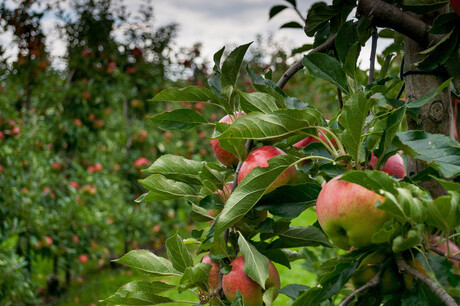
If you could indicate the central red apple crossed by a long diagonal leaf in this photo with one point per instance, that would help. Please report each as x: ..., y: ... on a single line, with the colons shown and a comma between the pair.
x: 259, y: 158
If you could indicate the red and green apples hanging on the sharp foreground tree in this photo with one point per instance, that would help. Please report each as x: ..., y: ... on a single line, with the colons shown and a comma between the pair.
x: 345, y: 211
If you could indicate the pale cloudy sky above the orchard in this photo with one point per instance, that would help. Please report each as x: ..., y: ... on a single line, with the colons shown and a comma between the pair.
x: 214, y: 23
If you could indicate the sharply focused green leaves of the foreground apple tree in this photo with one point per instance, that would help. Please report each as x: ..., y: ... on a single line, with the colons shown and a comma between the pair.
x: 371, y: 120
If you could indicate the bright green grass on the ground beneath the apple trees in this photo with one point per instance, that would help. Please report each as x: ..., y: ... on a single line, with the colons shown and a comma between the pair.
x: 100, y: 284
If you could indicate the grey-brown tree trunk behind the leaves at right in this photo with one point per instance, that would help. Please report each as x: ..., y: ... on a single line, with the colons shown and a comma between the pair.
x: 436, y: 115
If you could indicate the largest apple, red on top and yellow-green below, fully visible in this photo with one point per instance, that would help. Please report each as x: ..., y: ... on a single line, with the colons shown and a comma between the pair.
x: 347, y: 213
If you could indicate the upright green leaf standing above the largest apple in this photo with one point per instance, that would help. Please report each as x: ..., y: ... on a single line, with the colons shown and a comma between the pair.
x: 352, y: 118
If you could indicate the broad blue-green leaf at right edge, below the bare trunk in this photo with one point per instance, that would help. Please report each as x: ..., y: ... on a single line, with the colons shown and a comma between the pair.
x: 439, y: 151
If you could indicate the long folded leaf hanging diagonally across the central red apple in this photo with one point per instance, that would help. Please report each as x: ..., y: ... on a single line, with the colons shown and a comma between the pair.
x: 251, y: 189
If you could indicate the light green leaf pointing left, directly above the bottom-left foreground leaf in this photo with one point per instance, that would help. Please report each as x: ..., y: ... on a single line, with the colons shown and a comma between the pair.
x: 148, y: 262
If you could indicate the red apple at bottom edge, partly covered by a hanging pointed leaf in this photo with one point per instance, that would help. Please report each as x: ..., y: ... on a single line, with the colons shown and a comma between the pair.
x: 251, y: 291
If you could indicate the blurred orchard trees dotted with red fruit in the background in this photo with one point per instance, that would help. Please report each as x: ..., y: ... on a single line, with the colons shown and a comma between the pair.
x: 74, y: 137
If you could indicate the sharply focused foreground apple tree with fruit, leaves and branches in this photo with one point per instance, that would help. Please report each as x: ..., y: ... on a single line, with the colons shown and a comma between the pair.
x: 397, y: 224
